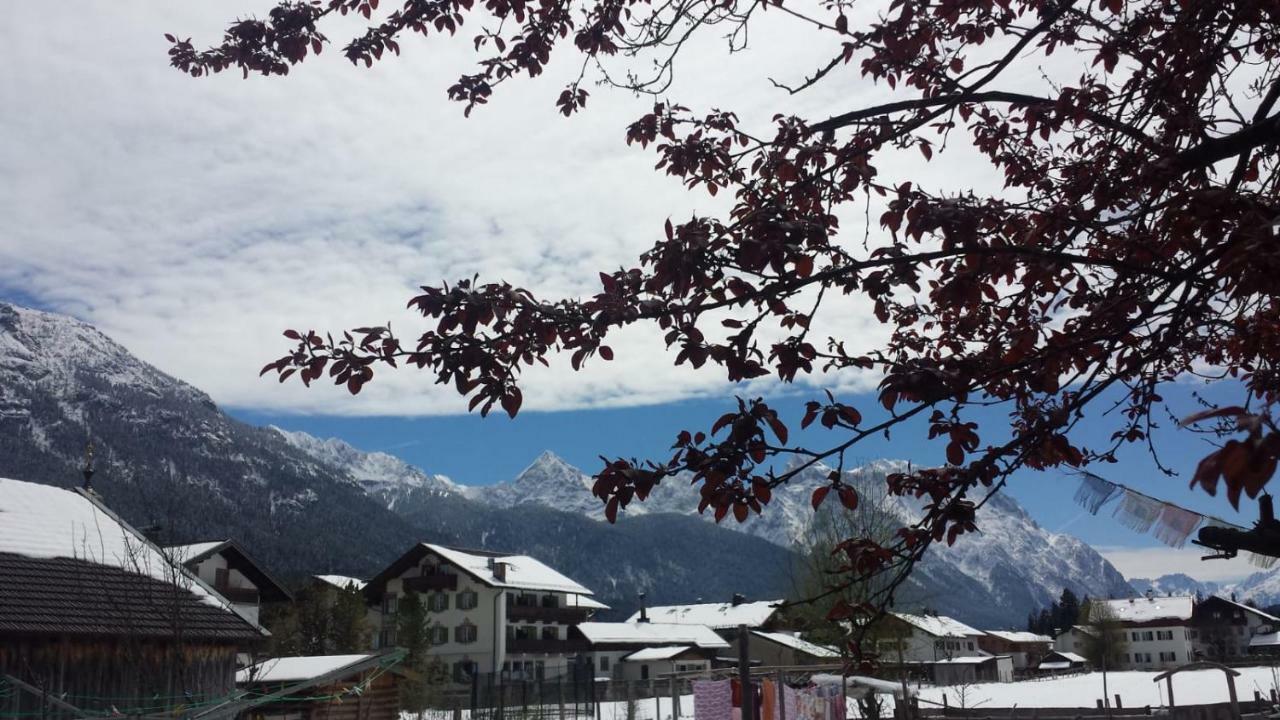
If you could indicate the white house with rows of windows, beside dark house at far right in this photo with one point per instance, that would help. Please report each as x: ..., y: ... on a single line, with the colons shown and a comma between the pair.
x: 1158, y: 631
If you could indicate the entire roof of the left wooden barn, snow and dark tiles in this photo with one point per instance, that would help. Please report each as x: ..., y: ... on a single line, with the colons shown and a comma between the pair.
x: 71, y: 566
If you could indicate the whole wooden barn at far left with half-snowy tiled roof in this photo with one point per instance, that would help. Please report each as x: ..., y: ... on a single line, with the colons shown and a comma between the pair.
x: 97, y: 617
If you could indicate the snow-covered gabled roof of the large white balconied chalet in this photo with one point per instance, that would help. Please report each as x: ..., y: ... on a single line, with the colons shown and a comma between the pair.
x: 522, y: 571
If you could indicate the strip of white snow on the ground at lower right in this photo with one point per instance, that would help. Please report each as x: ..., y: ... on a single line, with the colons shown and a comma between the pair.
x: 1136, y: 690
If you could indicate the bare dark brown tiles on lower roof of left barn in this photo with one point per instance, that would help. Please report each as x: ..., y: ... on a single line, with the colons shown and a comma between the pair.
x: 68, y: 596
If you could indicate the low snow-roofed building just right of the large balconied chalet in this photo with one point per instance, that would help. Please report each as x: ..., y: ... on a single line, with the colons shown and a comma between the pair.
x: 609, y: 646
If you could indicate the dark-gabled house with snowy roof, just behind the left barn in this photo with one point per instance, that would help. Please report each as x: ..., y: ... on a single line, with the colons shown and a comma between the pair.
x: 230, y: 569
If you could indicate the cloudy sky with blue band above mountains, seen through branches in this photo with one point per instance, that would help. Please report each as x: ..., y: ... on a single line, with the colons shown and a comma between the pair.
x: 194, y: 221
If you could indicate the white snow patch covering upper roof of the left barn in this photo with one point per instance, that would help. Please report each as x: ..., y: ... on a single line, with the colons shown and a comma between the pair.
x: 48, y: 522
